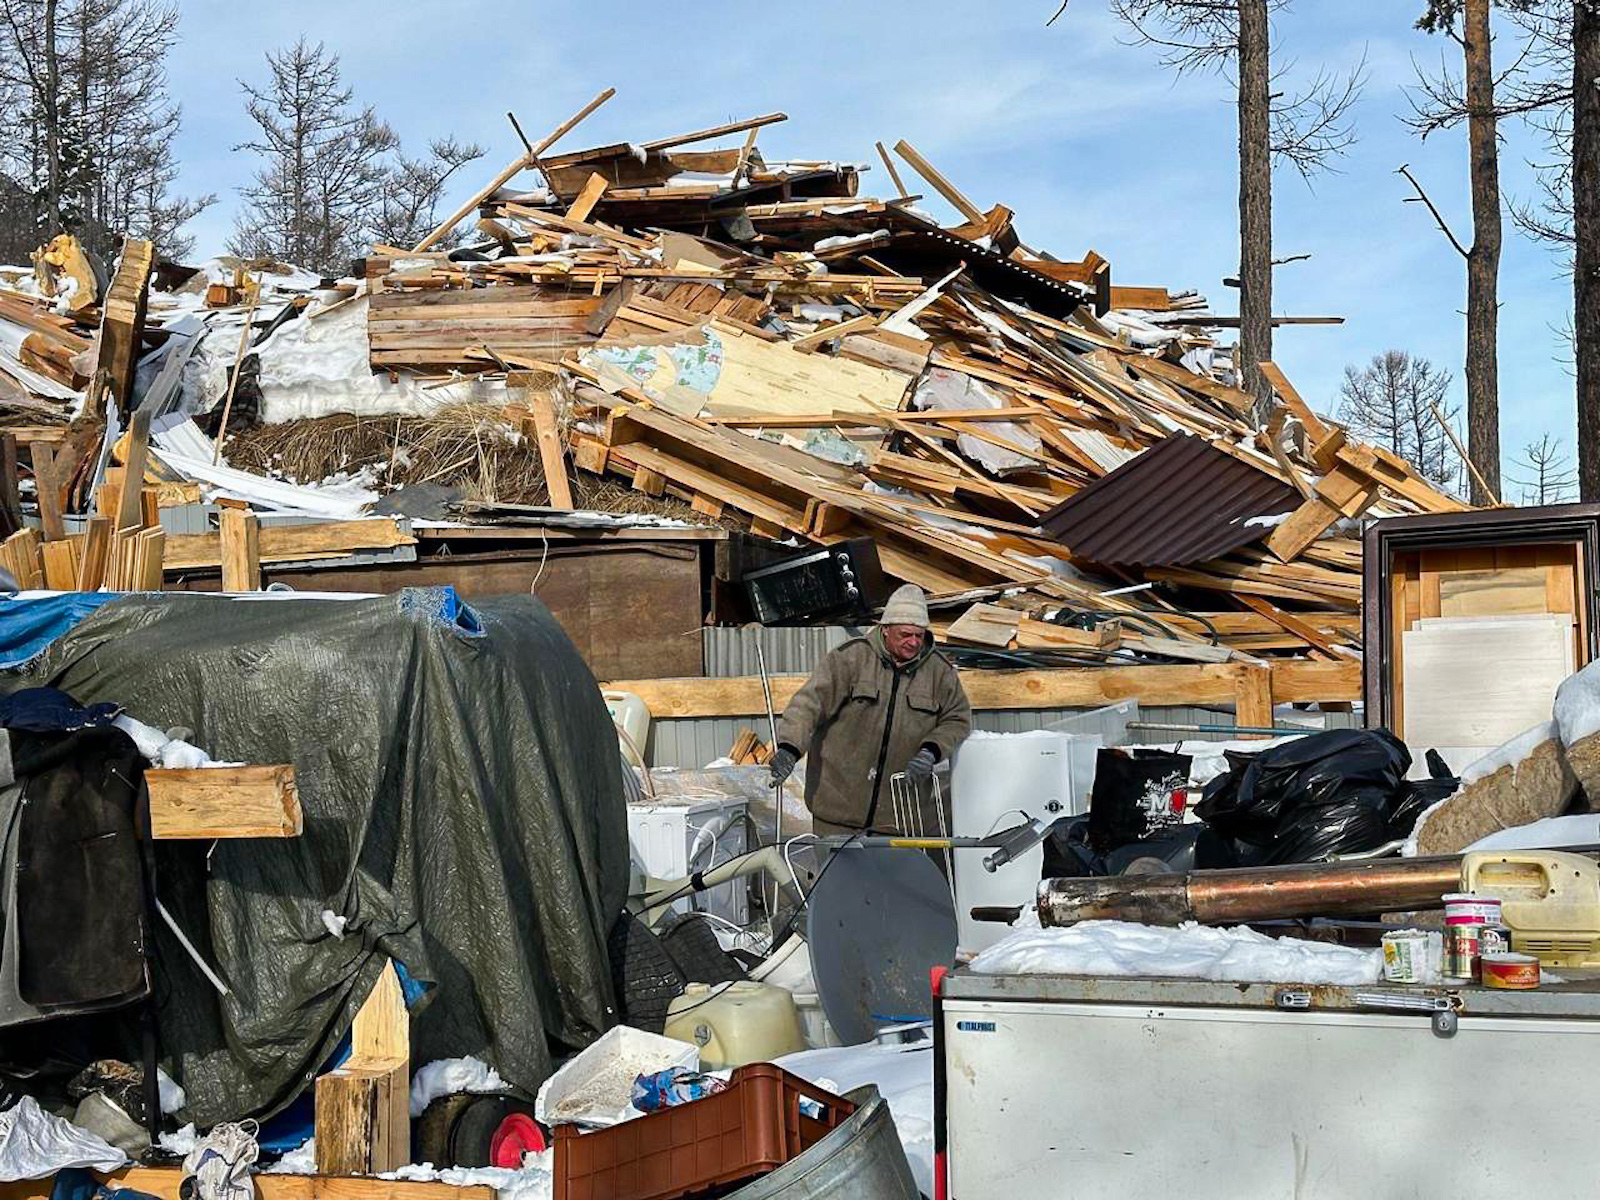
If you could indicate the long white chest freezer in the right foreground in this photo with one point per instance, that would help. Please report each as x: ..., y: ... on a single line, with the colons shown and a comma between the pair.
x: 1190, y: 1090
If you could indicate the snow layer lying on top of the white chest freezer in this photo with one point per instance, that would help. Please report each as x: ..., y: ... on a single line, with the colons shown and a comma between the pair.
x: 1190, y: 953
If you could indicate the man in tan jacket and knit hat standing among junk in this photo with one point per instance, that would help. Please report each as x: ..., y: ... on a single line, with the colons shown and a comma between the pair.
x: 876, y: 706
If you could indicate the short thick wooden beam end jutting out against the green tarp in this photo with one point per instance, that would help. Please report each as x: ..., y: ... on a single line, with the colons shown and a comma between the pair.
x: 210, y: 802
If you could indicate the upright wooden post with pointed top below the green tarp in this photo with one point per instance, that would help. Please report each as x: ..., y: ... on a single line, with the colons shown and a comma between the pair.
x: 364, y: 1108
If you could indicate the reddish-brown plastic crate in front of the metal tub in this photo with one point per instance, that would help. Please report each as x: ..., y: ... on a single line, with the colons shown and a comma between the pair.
x: 745, y: 1132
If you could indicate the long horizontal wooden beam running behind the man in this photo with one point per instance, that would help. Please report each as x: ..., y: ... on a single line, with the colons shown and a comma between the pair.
x: 1006, y: 690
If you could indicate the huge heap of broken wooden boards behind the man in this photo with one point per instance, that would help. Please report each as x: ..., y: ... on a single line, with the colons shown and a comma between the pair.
x: 762, y: 338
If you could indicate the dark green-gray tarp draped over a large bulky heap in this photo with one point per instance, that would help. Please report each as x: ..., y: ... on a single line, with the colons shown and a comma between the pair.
x: 462, y: 788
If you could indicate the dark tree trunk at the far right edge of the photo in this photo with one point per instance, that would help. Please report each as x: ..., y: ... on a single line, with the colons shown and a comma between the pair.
x: 1586, y: 233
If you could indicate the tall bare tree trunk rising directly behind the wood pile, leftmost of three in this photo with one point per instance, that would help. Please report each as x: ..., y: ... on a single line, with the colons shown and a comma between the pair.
x: 1255, y: 199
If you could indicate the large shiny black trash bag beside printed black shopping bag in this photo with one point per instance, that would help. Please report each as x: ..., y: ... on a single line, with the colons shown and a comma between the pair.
x: 1324, y: 794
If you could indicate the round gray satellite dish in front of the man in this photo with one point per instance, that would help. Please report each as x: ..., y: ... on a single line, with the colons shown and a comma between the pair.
x: 879, y: 922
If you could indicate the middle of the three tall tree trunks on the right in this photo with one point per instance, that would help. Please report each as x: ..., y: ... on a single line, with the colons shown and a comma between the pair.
x: 1484, y: 260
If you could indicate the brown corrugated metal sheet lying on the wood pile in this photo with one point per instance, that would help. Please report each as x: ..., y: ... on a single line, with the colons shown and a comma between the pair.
x: 1182, y: 502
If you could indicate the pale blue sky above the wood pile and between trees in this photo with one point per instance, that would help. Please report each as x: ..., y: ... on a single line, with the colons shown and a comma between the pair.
x: 1087, y: 138
